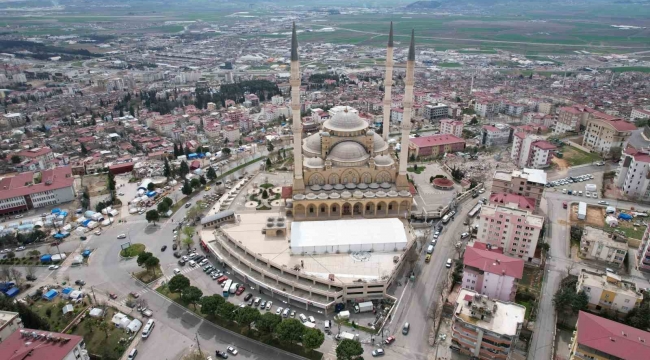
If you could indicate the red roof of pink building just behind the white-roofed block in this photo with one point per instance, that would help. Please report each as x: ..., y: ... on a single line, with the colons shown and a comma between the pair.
x: 493, y: 262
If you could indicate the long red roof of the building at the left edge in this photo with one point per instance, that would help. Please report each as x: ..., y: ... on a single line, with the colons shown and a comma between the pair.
x: 52, y: 179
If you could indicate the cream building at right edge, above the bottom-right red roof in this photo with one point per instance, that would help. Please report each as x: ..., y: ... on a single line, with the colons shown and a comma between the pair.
x: 608, y: 292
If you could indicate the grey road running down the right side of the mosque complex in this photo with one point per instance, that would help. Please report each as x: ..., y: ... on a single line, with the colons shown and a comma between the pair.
x: 417, y: 299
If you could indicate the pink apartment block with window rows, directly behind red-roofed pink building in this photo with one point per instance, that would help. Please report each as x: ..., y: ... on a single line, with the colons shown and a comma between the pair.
x: 515, y: 231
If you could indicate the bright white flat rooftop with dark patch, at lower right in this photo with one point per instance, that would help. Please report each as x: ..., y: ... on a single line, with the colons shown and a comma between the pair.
x: 504, y: 319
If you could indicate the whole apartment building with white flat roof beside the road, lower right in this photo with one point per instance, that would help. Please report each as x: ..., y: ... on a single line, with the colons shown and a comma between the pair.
x: 485, y: 328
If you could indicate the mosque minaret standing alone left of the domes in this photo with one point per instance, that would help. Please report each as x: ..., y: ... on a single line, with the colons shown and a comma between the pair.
x: 298, y: 182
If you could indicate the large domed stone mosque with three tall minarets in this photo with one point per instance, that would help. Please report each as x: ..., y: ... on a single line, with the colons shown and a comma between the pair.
x: 347, y: 170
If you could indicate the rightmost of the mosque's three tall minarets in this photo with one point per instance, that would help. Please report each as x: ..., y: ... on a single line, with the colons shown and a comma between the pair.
x: 402, y: 182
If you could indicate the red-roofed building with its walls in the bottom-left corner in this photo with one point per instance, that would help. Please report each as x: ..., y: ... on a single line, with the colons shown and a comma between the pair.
x: 37, y: 344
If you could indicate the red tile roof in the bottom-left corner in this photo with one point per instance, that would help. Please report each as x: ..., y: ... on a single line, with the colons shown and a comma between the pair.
x: 16, y: 347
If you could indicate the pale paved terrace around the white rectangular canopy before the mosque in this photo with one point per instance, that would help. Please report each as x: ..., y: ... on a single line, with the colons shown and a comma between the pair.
x: 347, y: 268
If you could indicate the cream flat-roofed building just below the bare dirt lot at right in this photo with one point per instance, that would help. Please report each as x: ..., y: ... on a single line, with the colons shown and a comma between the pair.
x: 599, y: 245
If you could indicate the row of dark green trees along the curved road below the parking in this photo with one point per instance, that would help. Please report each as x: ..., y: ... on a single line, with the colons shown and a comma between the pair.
x: 289, y: 334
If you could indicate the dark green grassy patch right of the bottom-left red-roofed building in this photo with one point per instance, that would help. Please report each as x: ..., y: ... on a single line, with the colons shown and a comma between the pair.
x: 108, y: 348
